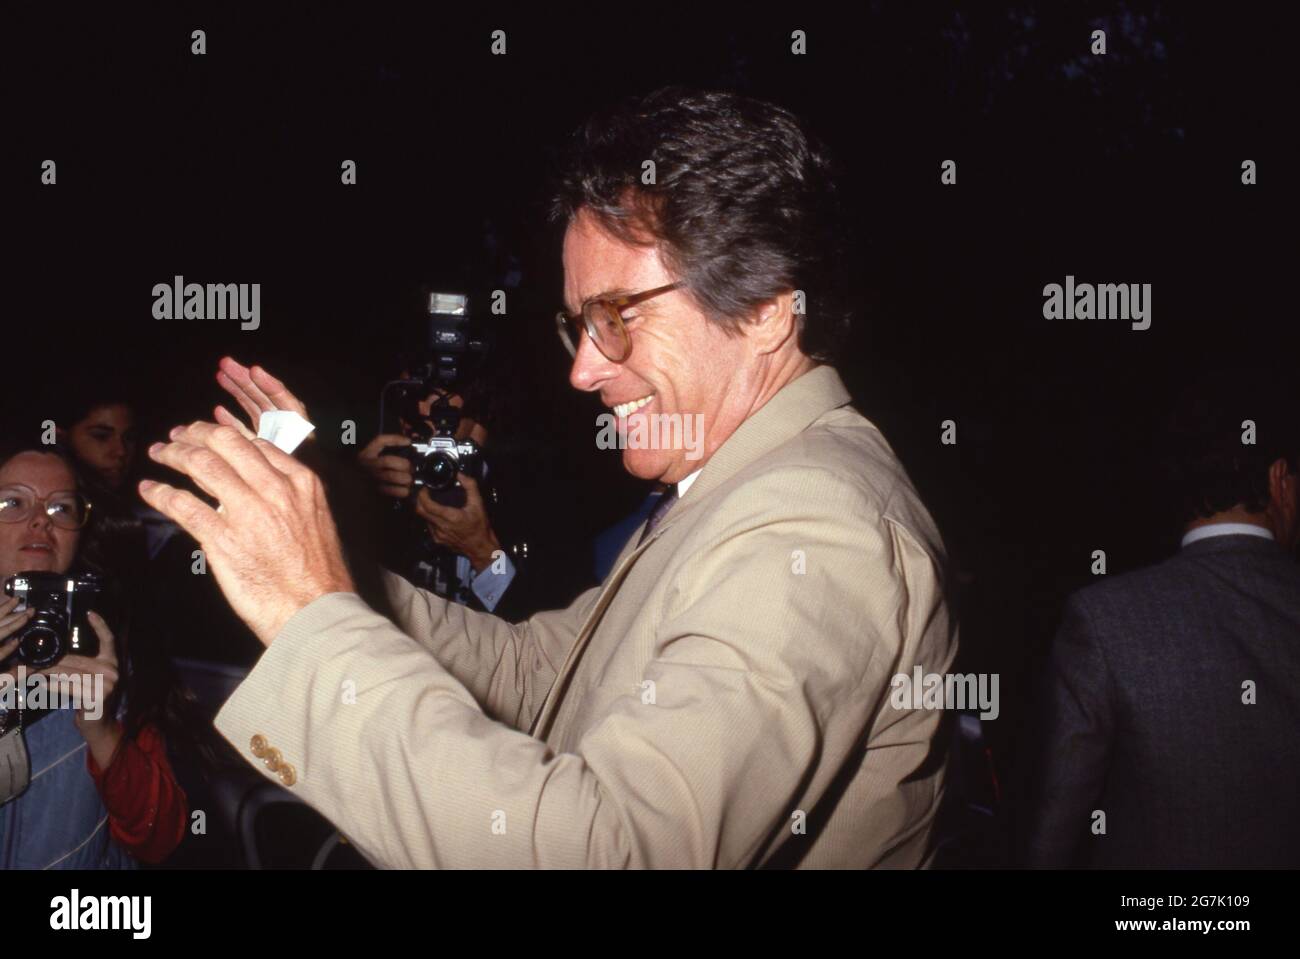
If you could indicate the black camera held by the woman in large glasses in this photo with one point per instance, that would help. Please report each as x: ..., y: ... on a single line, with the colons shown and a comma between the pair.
x: 59, y: 627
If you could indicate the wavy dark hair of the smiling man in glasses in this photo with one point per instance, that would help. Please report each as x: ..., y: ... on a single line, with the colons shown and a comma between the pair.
x: 744, y: 206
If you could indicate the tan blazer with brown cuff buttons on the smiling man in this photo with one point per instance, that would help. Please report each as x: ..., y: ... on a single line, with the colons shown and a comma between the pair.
x: 721, y: 701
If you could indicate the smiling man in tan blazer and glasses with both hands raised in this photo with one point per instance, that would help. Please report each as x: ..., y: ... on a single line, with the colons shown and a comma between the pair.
x: 722, y: 700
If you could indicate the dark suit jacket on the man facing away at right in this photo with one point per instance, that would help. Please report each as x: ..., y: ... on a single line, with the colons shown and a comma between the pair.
x: 1145, y: 717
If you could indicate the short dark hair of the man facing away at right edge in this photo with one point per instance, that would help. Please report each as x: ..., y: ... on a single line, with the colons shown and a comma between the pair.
x: 1206, y: 459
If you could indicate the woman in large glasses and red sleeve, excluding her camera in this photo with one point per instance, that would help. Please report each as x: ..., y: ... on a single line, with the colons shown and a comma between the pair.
x: 101, y: 792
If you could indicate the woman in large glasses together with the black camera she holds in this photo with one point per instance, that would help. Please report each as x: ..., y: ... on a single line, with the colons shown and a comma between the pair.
x: 122, y: 804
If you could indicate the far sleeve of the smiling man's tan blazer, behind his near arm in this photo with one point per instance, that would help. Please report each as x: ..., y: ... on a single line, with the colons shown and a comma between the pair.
x: 508, y: 669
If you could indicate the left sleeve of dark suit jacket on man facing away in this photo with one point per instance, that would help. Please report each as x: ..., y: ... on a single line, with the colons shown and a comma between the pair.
x: 1076, y: 730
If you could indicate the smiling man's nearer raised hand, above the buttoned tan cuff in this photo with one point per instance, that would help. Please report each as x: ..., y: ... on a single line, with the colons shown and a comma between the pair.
x: 275, y: 548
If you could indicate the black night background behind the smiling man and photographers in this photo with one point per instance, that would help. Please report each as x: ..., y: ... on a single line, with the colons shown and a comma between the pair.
x: 1119, y: 168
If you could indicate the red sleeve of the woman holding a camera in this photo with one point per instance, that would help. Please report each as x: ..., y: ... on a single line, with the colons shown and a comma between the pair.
x: 146, y: 806
